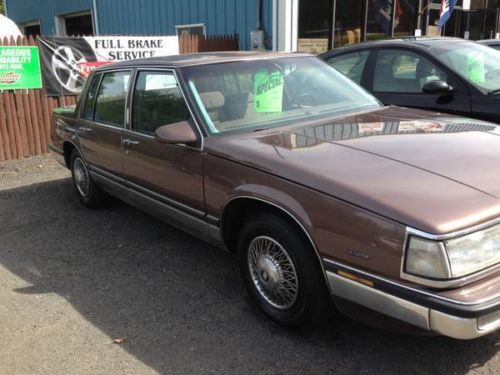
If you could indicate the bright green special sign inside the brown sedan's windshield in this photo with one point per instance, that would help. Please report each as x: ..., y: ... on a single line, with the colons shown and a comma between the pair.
x: 268, y: 92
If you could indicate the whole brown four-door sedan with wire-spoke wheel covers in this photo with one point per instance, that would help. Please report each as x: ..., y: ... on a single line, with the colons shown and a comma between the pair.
x: 319, y: 190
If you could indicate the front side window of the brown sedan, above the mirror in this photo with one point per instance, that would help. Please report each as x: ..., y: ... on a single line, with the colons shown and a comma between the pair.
x: 157, y: 101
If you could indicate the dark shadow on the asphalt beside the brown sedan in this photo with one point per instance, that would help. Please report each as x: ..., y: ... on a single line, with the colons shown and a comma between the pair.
x: 181, y: 303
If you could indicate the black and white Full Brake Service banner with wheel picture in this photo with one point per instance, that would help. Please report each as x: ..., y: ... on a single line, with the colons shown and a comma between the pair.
x: 68, y: 61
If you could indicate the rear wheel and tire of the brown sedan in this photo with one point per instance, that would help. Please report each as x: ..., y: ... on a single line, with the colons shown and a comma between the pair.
x: 87, y: 190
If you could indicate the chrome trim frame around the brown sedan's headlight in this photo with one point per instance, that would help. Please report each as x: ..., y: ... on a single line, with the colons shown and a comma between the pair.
x: 443, y: 284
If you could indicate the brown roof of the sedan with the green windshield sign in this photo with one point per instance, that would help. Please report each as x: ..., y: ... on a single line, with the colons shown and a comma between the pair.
x: 203, y: 58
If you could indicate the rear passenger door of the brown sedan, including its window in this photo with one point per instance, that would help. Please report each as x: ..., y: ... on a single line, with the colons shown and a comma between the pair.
x: 102, y: 120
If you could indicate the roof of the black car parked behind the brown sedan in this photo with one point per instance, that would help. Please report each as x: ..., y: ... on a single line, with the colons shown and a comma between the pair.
x: 417, y: 42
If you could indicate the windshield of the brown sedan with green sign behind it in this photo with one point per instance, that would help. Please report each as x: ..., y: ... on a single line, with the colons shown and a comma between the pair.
x: 258, y: 94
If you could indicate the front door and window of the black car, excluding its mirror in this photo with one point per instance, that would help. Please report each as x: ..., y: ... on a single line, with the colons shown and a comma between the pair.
x: 397, y: 77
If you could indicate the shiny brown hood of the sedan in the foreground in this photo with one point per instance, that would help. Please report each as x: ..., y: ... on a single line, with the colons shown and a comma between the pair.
x: 434, y: 172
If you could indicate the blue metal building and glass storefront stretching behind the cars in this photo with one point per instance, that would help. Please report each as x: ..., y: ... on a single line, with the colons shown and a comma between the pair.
x: 303, y: 25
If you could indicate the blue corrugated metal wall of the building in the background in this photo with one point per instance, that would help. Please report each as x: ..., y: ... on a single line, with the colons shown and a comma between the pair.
x: 148, y: 17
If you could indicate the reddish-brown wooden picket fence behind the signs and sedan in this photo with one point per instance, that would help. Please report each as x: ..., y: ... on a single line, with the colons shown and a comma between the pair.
x: 25, y: 115
